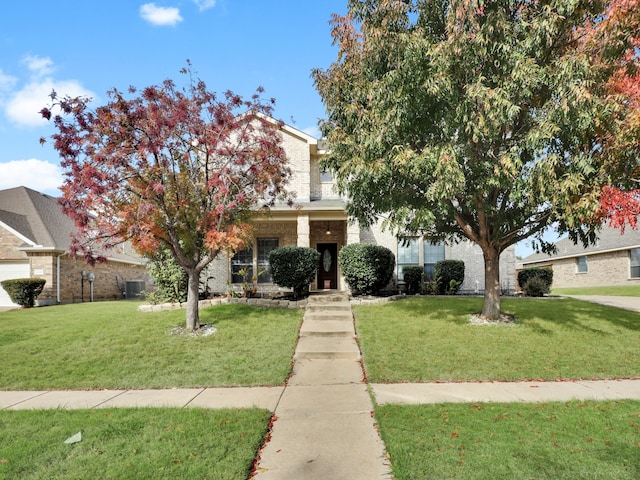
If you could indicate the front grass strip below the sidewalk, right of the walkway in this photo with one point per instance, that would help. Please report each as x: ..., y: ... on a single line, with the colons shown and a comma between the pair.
x: 585, y: 440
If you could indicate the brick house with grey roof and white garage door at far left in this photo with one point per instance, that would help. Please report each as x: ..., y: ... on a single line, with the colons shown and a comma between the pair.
x: 34, y: 242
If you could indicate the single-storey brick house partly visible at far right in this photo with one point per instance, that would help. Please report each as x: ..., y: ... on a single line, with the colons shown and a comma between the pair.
x: 614, y: 260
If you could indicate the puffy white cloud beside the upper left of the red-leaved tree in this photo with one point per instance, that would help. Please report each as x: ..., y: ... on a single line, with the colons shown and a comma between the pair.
x: 23, y: 106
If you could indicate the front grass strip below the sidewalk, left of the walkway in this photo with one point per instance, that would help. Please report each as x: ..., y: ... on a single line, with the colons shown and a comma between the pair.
x: 131, y: 443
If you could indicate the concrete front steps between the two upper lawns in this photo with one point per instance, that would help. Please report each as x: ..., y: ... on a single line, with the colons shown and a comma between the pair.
x: 327, y: 330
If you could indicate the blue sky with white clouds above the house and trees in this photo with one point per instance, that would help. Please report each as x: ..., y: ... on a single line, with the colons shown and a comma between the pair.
x: 88, y: 47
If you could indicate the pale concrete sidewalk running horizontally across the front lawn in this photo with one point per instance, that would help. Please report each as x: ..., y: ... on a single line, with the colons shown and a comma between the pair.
x: 271, y: 398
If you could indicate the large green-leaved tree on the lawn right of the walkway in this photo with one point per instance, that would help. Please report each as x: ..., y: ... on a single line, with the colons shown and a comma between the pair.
x: 474, y: 119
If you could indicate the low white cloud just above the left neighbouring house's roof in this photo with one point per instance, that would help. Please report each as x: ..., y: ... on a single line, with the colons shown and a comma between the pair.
x: 18, y: 173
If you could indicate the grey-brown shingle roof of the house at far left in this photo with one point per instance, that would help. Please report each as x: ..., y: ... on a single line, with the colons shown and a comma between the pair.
x: 38, y: 219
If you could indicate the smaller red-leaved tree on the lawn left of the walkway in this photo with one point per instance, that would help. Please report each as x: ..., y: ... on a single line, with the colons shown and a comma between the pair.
x: 170, y: 167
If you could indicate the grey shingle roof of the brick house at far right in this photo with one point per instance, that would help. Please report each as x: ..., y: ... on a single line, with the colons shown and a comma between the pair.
x: 609, y: 239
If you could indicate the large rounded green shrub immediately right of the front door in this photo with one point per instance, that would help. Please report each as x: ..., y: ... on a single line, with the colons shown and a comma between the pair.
x: 366, y: 268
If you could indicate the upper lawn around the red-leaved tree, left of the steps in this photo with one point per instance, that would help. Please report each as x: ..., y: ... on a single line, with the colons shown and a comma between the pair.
x: 112, y: 345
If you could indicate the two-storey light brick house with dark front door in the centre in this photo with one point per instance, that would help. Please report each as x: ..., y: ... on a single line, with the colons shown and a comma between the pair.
x: 319, y: 220
